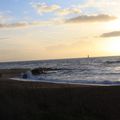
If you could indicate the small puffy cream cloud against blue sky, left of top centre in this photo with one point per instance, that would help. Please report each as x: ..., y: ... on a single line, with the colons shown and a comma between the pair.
x: 44, y: 8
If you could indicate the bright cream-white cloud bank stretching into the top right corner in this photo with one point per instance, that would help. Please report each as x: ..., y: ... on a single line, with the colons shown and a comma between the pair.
x: 102, y: 6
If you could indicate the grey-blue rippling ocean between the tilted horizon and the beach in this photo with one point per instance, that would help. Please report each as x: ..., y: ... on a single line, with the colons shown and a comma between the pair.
x: 99, y: 70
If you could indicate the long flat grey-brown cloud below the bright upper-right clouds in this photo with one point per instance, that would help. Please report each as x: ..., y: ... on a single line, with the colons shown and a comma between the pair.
x: 91, y: 18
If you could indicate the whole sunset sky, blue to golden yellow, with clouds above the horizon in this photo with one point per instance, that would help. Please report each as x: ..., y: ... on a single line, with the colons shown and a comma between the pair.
x: 56, y: 29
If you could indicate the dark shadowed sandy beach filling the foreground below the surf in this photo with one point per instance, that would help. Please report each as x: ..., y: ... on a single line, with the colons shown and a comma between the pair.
x: 21, y: 100
